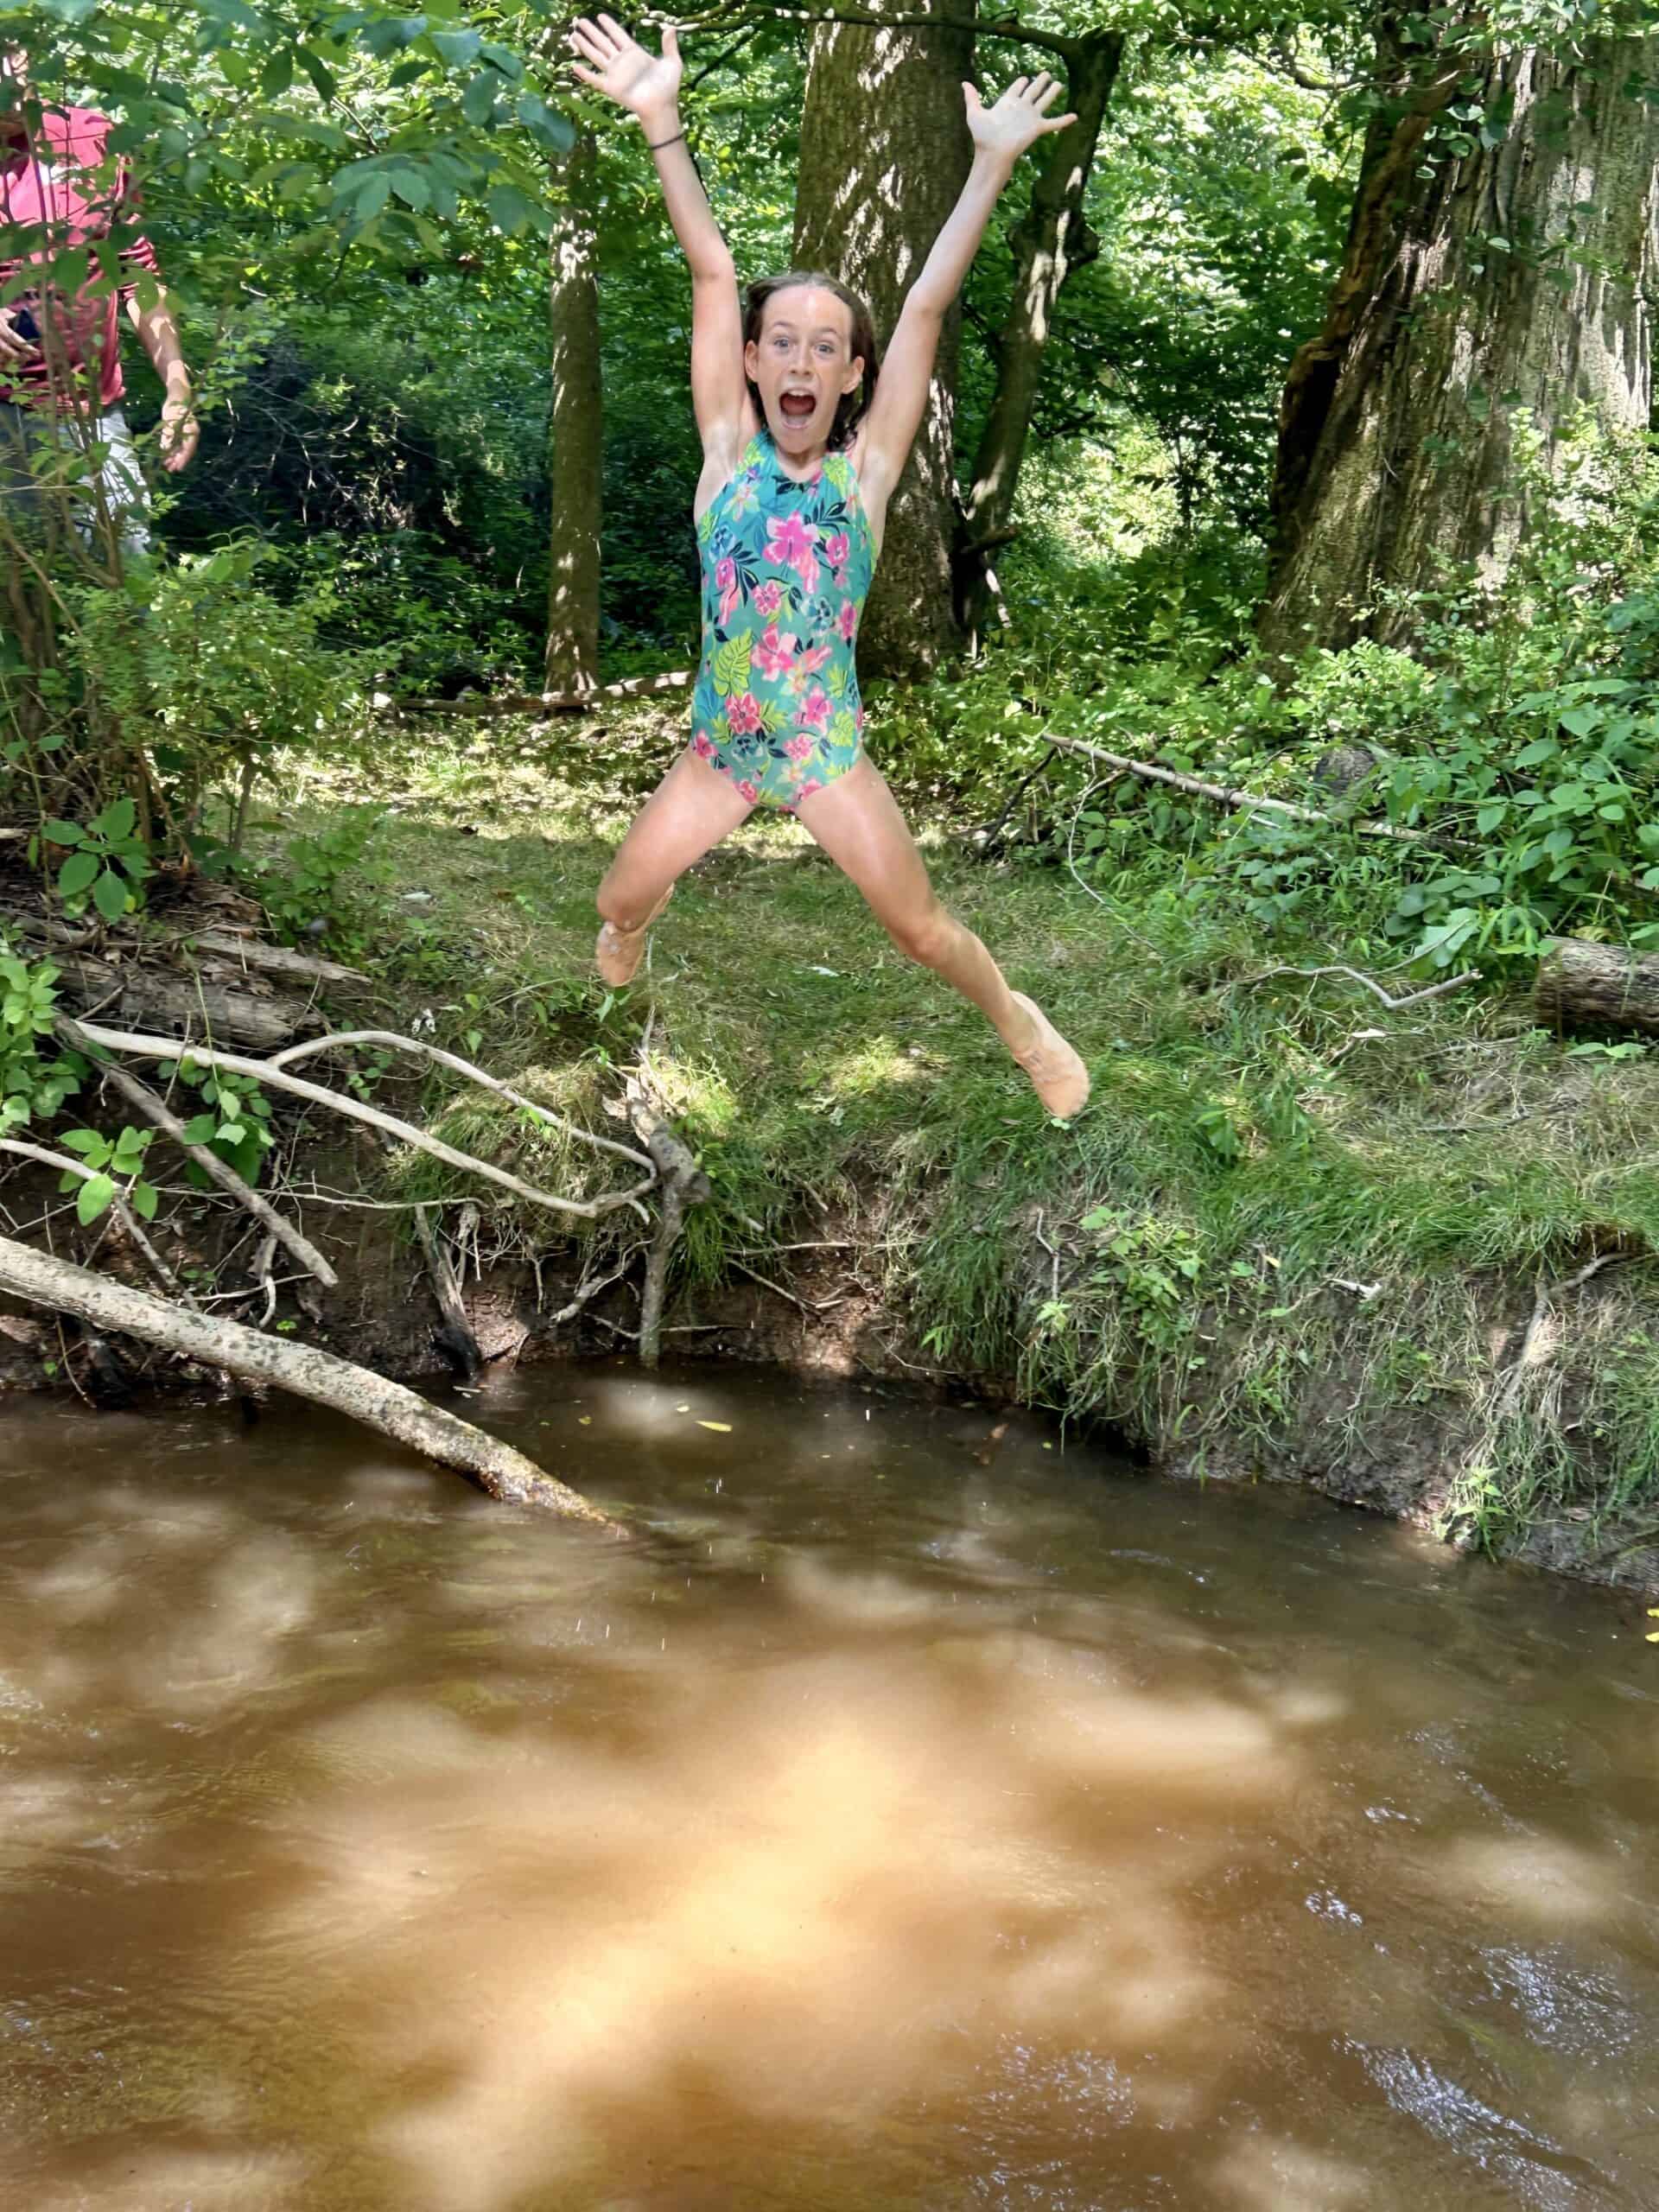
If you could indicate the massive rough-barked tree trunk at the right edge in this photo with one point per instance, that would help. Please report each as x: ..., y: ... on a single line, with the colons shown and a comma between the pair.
x: 1503, y: 286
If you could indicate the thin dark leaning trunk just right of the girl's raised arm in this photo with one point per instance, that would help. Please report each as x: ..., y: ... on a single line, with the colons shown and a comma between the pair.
x: 1050, y: 244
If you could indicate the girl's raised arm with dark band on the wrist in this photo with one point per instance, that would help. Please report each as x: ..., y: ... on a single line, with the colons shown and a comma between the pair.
x: 649, y: 90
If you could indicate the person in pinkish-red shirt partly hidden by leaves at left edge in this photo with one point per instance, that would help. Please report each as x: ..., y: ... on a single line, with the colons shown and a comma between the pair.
x: 61, y: 359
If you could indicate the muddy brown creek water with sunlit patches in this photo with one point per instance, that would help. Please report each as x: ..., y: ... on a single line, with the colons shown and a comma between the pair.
x: 879, y: 1833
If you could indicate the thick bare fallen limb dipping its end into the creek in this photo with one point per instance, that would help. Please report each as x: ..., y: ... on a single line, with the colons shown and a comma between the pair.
x: 304, y: 1370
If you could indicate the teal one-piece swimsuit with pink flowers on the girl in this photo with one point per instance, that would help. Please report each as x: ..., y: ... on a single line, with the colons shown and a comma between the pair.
x: 786, y: 570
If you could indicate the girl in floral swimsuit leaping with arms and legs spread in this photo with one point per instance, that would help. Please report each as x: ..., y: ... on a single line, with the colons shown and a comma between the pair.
x: 804, y: 444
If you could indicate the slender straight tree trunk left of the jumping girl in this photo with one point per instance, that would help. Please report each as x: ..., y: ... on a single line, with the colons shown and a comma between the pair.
x: 576, y: 428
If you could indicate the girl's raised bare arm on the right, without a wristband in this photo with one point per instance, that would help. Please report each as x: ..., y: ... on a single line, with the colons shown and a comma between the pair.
x: 1001, y: 136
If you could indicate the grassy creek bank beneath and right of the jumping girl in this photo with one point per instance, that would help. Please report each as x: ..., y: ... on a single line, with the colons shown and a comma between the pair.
x: 1406, y: 1255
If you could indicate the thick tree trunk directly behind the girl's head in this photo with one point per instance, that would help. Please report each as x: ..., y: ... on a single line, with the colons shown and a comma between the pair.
x: 884, y: 158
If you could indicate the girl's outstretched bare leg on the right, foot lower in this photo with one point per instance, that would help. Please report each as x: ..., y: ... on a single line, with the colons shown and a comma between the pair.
x: 859, y: 826
